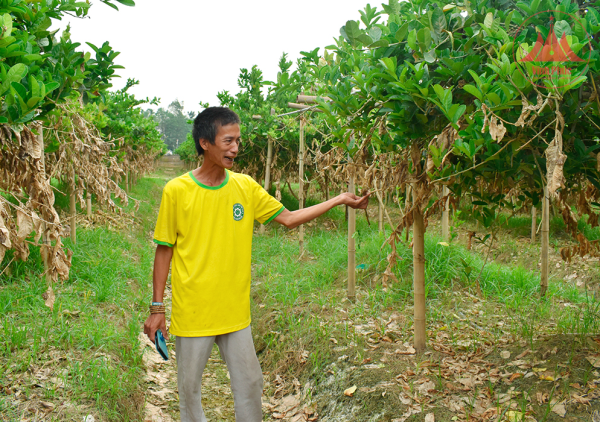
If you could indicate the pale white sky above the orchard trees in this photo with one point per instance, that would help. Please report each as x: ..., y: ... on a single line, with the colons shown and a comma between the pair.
x: 191, y: 50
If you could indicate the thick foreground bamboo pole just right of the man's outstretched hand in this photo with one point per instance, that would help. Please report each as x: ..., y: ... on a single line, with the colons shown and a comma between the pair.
x: 419, y: 278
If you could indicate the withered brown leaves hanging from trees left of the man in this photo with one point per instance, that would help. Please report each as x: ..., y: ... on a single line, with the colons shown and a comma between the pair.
x: 84, y: 161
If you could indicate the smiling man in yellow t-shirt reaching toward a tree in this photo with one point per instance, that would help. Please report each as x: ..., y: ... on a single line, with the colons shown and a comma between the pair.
x: 205, y: 226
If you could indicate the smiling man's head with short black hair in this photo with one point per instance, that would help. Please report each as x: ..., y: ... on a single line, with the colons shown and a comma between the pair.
x: 217, y: 135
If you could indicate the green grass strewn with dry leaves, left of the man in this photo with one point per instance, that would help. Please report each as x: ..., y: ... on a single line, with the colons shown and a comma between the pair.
x: 81, y: 357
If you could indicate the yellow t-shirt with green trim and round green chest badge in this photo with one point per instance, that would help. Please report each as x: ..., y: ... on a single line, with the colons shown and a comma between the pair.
x: 210, y: 230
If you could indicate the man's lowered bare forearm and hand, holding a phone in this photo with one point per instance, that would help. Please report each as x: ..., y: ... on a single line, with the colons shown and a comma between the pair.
x: 162, y: 262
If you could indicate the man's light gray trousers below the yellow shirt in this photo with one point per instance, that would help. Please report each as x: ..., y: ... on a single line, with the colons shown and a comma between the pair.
x: 237, y: 350
